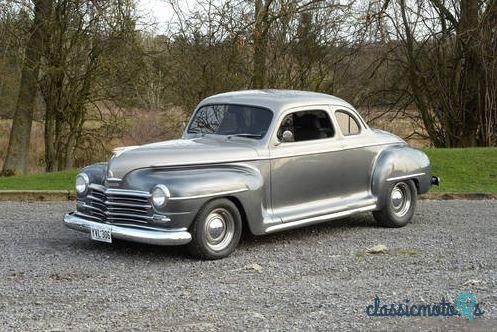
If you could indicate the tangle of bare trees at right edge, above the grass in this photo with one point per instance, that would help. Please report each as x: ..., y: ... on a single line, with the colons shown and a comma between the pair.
x: 445, y: 50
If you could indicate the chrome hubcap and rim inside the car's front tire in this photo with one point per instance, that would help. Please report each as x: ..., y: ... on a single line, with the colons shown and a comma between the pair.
x: 219, y: 229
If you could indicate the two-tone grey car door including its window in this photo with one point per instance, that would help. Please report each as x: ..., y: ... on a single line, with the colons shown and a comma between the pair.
x: 305, y: 178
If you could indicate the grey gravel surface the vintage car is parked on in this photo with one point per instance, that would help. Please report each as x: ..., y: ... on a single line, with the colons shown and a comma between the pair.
x: 319, y: 277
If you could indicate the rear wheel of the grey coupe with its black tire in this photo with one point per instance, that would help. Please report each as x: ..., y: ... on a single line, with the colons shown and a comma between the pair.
x: 397, y: 212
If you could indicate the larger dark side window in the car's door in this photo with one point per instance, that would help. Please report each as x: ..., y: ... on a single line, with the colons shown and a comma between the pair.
x: 306, y: 126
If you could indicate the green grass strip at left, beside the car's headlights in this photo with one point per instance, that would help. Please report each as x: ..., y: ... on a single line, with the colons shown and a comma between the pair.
x: 41, y: 181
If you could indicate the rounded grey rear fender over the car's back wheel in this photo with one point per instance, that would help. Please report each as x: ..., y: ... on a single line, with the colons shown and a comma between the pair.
x: 400, y: 162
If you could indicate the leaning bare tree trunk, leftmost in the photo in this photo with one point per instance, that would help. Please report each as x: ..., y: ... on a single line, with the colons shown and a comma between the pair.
x: 17, y: 151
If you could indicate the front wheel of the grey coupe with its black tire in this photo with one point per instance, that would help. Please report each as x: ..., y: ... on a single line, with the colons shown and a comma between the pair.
x: 216, y: 230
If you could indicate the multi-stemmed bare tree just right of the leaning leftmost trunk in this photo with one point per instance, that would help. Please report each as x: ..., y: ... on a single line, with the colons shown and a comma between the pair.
x: 84, y: 41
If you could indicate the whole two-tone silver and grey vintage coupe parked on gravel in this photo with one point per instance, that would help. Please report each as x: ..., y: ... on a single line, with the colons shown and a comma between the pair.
x: 263, y: 161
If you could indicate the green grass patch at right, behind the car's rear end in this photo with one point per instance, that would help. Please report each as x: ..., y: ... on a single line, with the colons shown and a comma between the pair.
x: 465, y: 170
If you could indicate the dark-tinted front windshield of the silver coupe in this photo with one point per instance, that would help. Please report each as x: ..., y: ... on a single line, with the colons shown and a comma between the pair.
x: 236, y: 120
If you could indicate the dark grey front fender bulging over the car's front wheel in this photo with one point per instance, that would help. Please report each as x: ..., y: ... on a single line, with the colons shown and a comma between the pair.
x: 193, y: 186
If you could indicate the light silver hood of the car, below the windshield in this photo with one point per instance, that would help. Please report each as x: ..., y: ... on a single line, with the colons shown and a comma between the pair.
x: 179, y: 152
